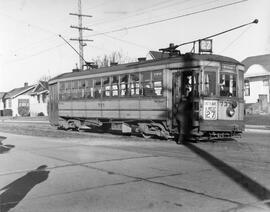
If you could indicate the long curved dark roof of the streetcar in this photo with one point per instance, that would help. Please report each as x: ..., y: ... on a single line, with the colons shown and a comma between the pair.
x: 154, y: 62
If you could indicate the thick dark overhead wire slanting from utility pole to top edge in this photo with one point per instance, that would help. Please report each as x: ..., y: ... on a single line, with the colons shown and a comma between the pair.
x: 168, y: 19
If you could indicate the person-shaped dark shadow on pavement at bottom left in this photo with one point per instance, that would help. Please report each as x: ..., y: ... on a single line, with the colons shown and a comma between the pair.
x: 17, y: 190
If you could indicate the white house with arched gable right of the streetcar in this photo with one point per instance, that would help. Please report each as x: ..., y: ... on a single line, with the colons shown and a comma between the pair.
x: 257, y: 84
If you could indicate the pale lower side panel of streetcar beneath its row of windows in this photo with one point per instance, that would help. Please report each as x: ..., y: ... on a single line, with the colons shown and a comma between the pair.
x: 117, y: 108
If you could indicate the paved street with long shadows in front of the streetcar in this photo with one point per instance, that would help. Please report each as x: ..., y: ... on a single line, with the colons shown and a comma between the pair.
x: 107, y: 173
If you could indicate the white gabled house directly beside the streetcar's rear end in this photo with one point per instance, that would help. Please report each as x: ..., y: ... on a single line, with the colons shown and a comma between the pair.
x: 39, y: 99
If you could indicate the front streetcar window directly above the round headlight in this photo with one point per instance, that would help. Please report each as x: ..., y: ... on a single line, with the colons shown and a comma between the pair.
x: 227, y: 84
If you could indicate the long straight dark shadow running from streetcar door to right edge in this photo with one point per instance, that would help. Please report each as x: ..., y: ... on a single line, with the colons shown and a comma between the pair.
x: 250, y: 185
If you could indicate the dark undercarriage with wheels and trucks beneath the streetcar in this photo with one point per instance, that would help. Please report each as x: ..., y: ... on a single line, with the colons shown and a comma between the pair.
x: 147, y: 129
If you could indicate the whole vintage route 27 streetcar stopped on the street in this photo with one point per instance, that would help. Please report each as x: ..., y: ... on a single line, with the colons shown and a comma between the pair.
x: 143, y: 97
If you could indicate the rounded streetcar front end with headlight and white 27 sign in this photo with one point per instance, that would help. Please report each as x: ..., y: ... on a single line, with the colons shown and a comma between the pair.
x: 221, y: 105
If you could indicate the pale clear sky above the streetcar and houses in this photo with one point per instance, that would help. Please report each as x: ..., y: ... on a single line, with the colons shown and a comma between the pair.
x: 31, y: 49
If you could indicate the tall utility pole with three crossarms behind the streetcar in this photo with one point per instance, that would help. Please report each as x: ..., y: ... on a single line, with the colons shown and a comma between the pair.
x: 80, y: 29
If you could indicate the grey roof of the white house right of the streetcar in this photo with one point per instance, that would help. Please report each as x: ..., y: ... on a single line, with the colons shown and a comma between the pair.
x: 263, y: 60
